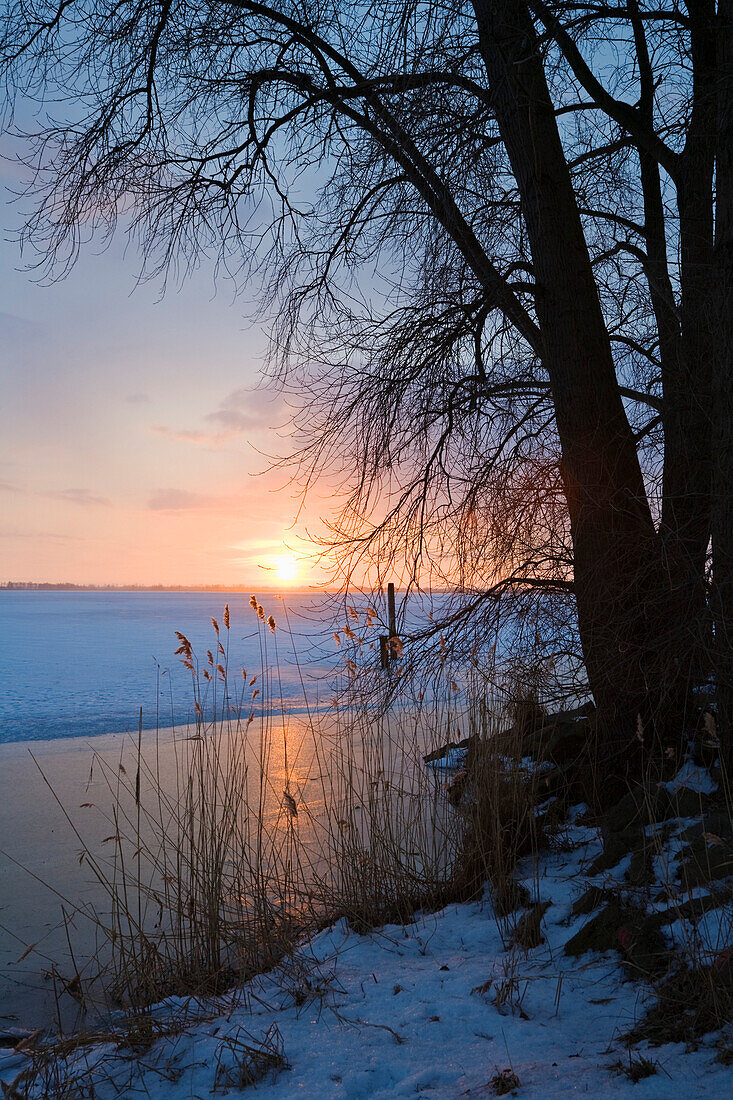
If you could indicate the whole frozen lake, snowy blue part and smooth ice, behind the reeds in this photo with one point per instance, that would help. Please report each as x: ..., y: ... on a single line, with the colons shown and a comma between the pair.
x: 76, y: 668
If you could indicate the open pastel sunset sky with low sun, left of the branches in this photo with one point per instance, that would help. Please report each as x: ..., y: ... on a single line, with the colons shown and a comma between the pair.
x: 136, y: 431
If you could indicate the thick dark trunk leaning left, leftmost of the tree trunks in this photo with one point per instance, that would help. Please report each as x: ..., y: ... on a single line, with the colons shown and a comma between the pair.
x: 622, y: 590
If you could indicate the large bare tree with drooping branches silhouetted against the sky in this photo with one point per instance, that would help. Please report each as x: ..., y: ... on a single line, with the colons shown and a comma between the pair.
x: 489, y: 228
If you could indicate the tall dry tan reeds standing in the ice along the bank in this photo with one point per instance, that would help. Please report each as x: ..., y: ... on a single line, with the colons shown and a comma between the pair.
x: 265, y: 830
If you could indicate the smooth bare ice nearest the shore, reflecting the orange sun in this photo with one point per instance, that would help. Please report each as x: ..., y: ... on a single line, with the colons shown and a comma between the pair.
x: 45, y: 784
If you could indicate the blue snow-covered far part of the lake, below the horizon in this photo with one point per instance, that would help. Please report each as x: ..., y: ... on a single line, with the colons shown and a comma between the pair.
x: 83, y: 664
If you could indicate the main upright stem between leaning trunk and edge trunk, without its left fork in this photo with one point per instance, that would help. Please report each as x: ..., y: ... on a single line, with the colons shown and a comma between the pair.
x: 687, y: 482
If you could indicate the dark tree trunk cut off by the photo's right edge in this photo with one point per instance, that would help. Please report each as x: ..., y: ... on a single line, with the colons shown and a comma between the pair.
x: 723, y: 512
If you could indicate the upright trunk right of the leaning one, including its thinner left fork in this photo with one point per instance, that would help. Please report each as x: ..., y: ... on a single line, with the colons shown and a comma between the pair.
x: 686, y: 338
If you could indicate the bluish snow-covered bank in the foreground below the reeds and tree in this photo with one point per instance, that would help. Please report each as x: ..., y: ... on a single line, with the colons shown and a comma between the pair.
x: 439, y: 1008
